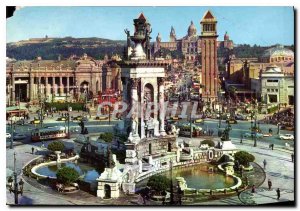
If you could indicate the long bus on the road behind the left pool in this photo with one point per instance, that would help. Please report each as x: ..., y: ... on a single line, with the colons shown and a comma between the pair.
x: 46, y: 133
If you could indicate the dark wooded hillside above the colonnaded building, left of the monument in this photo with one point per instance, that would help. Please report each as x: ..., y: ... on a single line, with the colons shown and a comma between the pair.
x: 51, y: 48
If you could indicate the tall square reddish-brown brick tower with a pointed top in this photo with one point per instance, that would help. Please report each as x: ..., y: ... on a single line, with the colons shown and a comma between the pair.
x: 209, y: 57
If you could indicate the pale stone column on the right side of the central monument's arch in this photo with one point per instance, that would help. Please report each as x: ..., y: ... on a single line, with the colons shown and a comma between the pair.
x: 161, y: 100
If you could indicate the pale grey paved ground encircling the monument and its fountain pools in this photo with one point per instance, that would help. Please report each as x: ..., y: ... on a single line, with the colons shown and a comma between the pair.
x: 279, y: 169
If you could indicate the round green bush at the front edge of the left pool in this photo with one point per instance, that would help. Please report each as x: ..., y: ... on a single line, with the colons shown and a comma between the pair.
x: 67, y: 175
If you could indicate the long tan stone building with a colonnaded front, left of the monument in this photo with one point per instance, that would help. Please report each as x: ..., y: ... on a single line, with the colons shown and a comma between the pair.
x: 61, y: 79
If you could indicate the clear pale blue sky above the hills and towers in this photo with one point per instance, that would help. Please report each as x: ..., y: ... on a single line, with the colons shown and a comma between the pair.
x: 245, y: 25
